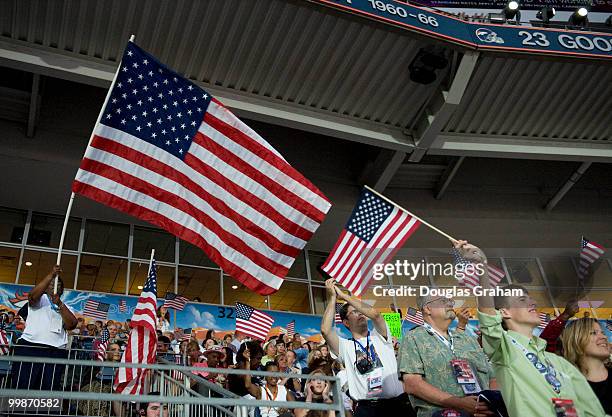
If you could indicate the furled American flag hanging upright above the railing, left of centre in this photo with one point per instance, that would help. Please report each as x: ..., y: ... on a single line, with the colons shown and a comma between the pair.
x: 142, y: 343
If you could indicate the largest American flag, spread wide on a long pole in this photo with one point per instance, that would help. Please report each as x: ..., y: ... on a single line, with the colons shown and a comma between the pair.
x: 167, y: 152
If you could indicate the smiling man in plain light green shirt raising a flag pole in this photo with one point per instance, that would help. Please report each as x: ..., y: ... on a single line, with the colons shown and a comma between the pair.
x: 529, y: 377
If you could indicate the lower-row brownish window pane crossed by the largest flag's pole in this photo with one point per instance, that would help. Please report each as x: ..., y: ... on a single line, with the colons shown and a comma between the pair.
x: 42, y: 264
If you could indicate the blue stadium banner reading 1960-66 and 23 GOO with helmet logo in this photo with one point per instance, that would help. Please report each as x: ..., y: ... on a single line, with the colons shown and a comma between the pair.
x: 479, y: 36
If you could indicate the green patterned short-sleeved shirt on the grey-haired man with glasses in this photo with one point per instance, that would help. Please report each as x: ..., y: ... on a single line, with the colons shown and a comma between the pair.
x: 422, y: 353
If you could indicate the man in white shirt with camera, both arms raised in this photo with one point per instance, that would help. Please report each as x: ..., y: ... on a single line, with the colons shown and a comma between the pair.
x: 368, y: 356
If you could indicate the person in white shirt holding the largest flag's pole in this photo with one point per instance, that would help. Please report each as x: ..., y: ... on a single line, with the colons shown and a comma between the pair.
x: 45, y: 336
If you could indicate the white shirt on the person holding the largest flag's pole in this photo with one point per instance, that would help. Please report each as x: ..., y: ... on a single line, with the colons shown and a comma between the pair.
x: 44, y: 324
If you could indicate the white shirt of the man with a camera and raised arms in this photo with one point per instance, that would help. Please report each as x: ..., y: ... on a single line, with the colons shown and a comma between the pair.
x: 357, y: 383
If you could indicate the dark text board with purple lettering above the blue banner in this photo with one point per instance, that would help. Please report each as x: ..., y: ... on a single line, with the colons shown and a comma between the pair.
x: 598, y: 6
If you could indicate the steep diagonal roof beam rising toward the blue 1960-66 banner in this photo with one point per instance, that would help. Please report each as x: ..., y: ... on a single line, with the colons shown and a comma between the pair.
x: 447, y: 106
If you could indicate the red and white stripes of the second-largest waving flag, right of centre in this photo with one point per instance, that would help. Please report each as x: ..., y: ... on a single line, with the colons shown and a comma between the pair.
x: 352, y: 260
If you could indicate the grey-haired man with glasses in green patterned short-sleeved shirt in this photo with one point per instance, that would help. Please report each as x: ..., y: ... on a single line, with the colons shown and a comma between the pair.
x: 442, y: 369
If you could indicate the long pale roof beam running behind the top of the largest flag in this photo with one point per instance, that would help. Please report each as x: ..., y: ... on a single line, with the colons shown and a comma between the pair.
x: 39, y: 60
